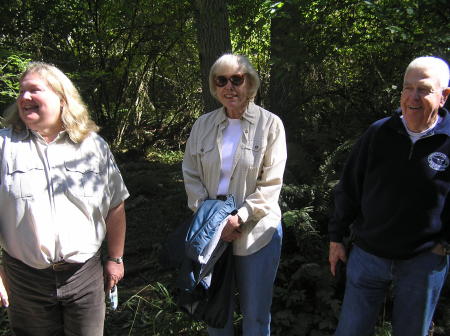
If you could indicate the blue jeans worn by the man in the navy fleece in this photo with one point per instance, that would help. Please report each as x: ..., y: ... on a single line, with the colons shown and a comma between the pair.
x: 417, y: 283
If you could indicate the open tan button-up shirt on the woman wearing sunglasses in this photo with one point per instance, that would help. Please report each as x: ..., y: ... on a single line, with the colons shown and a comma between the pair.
x: 257, y: 173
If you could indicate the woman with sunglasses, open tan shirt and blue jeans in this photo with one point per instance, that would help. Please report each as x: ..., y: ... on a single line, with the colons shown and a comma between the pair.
x: 240, y: 149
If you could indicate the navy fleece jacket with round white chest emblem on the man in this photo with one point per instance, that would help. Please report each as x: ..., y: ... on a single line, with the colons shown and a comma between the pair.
x: 394, y: 192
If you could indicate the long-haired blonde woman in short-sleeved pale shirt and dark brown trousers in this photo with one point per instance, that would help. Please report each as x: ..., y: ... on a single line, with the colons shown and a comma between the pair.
x: 61, y: 194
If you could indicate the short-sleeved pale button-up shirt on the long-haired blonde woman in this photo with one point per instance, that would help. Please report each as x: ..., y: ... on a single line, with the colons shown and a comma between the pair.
x: 54, y: 198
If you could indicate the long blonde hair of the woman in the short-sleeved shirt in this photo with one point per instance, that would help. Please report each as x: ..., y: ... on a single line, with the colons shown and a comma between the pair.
x: 74, y: 114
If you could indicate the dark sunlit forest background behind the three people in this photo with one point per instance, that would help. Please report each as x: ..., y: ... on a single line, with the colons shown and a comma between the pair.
x: 328, y: 69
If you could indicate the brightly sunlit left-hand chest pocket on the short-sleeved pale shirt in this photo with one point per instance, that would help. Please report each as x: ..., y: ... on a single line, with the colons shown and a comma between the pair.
x: 26, y: 178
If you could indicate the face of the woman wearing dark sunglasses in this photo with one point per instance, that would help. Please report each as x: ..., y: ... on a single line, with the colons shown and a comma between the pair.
x: 233, y: 95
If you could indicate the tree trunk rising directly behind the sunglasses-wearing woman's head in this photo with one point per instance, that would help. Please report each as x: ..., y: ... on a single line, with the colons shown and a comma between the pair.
x: 213, y: 35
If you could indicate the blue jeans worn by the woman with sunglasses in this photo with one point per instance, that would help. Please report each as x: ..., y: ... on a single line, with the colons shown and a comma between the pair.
x: 255, y: 275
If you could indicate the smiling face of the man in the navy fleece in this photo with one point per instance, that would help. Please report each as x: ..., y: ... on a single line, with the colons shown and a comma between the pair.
x: 421, y: 98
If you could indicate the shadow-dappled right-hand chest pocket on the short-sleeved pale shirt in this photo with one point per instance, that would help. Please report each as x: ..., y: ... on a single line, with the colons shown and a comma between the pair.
x: 84, y: 175
